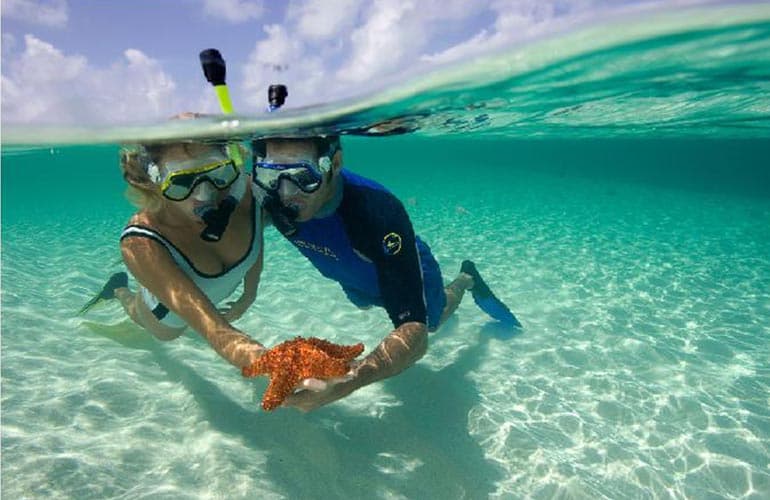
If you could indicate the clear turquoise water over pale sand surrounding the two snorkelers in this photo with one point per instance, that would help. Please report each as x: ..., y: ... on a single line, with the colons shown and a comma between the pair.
x: 624, y: 219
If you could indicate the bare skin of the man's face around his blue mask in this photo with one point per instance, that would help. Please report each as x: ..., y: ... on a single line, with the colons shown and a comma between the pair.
x: 298, y: 151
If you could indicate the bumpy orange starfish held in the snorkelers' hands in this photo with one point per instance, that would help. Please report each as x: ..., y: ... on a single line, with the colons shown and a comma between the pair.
x: 290, y: 362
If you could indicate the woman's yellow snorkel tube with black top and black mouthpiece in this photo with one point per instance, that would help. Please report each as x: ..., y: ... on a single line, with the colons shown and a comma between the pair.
x: 216, y: 219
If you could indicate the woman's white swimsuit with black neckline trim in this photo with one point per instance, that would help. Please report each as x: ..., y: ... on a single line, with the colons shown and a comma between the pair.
x: 217, y: 287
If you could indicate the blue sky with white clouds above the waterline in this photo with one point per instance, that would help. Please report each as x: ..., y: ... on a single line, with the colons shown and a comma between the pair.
x: 74, y: 61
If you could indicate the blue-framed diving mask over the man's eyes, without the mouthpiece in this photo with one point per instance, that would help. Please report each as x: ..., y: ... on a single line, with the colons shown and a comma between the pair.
x: 303, y: 174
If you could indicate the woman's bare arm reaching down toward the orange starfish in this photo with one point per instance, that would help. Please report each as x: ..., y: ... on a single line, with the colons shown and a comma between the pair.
x: 153, y: 267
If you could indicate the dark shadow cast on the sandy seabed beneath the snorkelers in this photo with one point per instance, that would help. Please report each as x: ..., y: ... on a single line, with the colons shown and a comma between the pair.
x: 420, y: 449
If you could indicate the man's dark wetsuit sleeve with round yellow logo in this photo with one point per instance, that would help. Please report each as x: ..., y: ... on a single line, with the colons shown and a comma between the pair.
x: 379, y: 227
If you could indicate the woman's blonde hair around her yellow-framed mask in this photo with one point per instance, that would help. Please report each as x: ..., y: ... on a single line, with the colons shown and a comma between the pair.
x: 134, y: 160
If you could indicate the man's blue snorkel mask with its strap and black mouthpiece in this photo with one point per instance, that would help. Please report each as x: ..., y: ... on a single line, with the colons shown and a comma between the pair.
x: 305, y: 176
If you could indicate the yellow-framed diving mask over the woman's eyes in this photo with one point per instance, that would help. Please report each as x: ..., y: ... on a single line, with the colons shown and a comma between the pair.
x: 178, y: 179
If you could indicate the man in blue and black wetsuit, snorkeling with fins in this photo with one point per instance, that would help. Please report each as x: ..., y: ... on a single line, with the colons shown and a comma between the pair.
x: 357, y: 233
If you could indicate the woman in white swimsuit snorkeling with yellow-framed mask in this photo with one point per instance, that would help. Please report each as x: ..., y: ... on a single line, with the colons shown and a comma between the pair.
x: 196, y: 237
